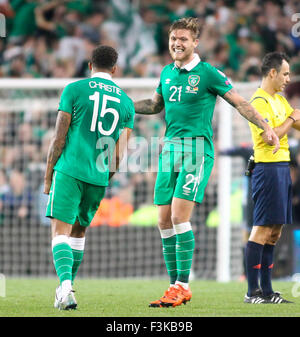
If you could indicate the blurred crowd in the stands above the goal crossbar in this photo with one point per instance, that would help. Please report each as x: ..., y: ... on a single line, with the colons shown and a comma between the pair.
x: 55, y: 38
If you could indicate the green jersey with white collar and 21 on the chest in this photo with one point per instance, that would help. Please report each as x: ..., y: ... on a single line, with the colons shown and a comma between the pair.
x: 190, y: 95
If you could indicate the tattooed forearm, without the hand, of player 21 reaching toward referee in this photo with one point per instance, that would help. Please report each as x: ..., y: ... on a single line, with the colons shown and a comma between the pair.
x: 244, y: 108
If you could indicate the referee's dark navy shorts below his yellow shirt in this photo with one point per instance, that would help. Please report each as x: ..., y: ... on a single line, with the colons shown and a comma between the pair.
x: 272, y: 194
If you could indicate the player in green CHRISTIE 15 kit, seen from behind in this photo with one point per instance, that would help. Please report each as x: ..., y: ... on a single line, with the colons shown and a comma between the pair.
x: 94, y: 122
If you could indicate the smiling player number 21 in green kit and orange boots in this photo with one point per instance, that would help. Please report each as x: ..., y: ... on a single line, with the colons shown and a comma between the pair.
x: 187, y: 91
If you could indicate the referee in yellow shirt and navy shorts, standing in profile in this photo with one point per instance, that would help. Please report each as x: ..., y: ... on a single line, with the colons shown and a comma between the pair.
x: 271, y: 181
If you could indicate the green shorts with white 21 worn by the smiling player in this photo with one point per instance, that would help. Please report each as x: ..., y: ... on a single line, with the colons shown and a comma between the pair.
x: 183, y: 176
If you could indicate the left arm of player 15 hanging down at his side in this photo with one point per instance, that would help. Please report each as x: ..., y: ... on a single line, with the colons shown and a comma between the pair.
x: 56, y: 146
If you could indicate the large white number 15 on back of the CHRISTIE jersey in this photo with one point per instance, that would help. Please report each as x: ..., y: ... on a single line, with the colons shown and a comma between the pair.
x: 104, y: 110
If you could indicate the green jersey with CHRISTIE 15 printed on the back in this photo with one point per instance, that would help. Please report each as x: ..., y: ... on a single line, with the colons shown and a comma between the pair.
x: 100, y: 111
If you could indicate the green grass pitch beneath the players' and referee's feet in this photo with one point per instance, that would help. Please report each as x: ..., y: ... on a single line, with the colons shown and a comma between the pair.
x: 130, y: 298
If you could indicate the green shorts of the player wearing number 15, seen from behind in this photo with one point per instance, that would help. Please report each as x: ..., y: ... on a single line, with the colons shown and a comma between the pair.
x: 70, y: 198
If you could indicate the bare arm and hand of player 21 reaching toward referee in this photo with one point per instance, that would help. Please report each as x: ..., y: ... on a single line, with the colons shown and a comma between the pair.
x: 248, y: 111
